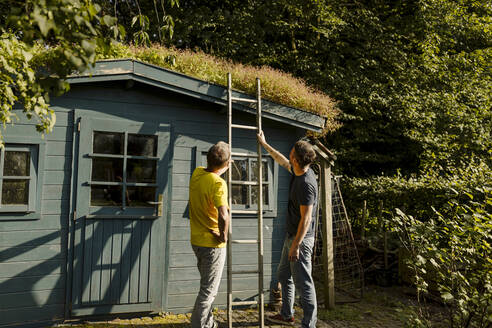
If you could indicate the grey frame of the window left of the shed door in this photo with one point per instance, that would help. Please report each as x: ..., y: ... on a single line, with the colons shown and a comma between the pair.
x: 36, y: 147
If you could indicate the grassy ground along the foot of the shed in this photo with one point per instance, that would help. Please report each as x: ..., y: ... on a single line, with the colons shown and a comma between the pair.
x: 381, y: 307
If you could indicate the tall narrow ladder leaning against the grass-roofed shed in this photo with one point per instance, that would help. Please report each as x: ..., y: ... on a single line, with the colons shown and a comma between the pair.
x: 259, y: 211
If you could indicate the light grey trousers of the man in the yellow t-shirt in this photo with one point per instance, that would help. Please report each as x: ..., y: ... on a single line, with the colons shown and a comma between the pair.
x: 210, y: 263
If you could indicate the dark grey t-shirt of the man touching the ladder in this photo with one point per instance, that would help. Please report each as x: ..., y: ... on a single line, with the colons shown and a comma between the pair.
x: 303, y: 191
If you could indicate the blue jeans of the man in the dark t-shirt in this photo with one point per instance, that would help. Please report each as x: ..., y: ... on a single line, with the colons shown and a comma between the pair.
x: 298, y: 274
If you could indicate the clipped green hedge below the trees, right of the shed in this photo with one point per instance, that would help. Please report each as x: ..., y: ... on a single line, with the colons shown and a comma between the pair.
x: 414, y: 196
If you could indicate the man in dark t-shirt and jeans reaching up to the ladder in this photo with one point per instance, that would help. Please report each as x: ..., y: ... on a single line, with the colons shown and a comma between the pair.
x: 295, y: 264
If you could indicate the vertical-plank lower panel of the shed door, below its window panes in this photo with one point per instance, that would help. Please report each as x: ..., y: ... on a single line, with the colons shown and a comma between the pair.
x: 115, y: 269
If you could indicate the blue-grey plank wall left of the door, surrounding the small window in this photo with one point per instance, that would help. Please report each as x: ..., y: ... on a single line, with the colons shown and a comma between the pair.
x: 33, y: 253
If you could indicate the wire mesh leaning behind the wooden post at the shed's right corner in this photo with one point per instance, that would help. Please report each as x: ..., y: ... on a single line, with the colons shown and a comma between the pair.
x: 348, y: 270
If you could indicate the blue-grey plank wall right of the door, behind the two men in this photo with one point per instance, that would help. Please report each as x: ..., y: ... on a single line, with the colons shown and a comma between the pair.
x: 183, y: 275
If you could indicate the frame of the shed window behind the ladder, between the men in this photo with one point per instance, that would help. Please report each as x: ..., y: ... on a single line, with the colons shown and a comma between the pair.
x: 269, y: 210
